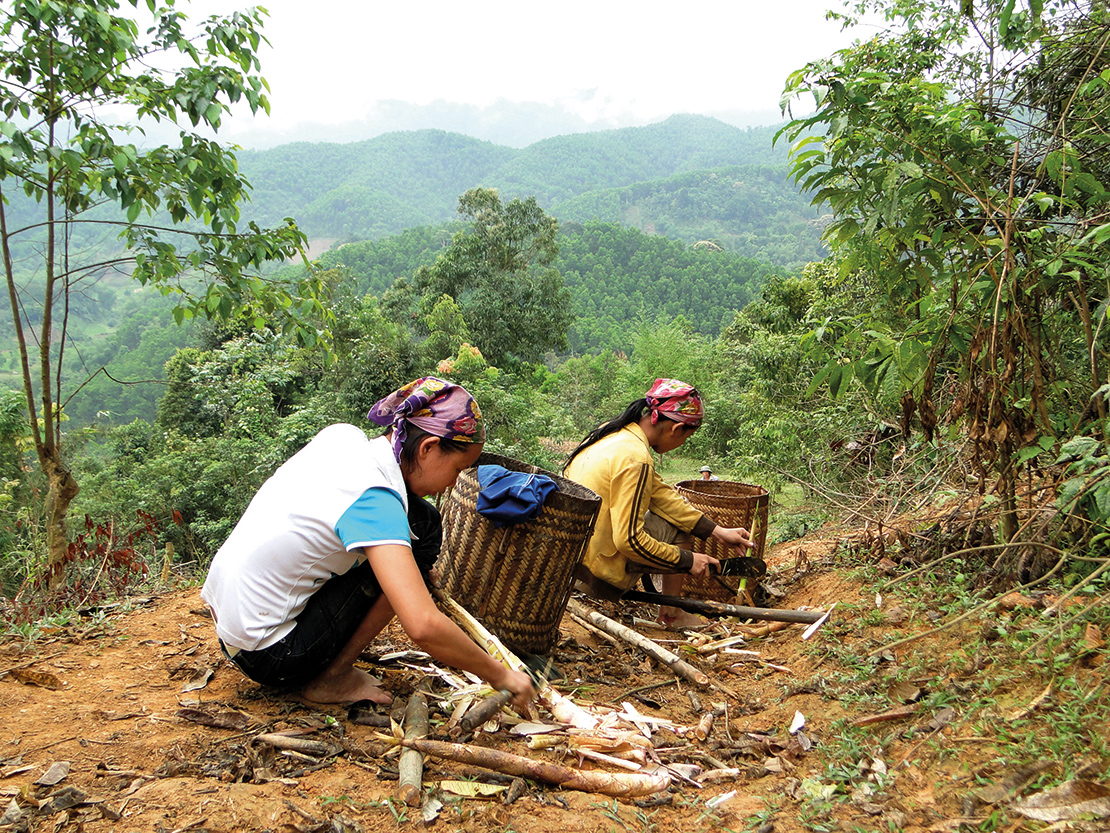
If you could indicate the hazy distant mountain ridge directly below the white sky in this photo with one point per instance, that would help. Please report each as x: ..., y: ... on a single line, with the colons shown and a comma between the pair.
x: 384, y: 186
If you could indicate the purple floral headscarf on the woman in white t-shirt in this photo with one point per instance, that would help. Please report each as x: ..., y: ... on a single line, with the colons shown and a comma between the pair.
x: 443, y: 409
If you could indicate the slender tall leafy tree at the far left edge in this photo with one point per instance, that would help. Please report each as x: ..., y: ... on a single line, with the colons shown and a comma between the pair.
x: 69, y: 174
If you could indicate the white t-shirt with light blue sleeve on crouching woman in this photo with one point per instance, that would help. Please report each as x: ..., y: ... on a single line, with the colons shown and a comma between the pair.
x: 308, y: 523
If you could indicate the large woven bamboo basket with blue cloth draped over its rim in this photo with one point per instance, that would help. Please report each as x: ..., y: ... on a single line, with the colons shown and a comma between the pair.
x: 517, y: 579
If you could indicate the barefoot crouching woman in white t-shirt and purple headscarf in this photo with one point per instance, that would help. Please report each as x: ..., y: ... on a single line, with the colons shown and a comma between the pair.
x: 340, y: 540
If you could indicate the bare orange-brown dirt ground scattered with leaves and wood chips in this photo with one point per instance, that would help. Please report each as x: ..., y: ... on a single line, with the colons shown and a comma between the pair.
x: 104, y: 728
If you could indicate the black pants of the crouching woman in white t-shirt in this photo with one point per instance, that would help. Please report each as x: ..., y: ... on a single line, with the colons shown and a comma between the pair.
x: 335, y: 613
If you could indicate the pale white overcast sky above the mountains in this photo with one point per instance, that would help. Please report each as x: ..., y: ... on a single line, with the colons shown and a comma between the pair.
x: 374, y: 66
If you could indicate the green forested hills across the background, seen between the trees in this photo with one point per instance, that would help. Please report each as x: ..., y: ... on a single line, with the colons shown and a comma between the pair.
x: 395, y: 200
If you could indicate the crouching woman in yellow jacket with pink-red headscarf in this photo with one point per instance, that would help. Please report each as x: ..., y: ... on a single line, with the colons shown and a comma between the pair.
x: 644, y: 526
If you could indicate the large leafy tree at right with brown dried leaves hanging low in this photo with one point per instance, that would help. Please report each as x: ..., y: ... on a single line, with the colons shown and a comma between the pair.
x: 964, y: 155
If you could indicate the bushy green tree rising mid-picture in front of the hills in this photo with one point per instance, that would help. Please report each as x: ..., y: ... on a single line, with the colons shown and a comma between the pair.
x: 499, y: 270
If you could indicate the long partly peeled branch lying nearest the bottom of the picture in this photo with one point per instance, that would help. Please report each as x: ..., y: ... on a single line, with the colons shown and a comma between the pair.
x: 620, y: 785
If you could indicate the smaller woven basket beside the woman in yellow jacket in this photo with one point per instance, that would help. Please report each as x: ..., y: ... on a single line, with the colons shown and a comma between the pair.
x: 730, y: 505
